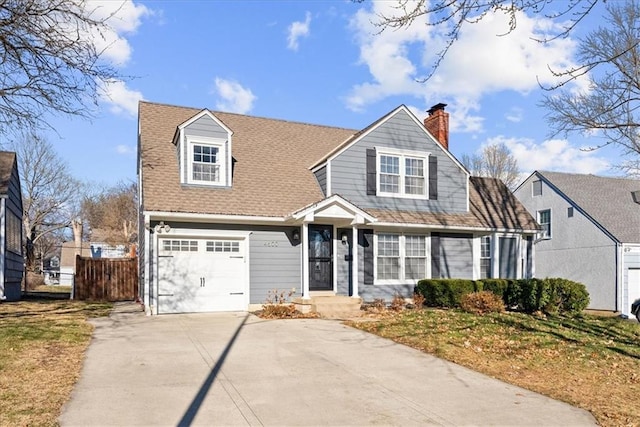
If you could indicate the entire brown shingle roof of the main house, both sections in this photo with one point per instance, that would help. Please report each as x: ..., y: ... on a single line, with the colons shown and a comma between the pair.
x: 271, y: 175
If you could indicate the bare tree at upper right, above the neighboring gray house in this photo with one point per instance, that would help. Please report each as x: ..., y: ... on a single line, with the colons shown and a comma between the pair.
x: 611, y: 58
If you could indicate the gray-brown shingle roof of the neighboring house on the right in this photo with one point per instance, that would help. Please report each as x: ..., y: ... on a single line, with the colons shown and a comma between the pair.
x: 608, y: 201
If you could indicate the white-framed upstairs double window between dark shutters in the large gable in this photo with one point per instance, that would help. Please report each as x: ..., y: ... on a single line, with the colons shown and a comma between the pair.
x: 402, y: 174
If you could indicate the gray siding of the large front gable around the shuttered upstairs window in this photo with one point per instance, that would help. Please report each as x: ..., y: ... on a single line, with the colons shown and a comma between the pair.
x: 348, y: 169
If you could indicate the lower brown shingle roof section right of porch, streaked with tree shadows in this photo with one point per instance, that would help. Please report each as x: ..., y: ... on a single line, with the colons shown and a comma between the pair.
x: 491, y: 206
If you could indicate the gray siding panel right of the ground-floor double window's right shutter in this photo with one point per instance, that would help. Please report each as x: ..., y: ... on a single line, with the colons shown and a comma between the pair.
x: 456, y: 257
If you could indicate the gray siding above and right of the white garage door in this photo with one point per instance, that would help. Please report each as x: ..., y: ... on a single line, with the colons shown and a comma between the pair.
x: 274, y: 259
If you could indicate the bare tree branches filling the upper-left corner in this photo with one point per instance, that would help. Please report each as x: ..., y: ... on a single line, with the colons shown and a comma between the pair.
x: 49, y: 62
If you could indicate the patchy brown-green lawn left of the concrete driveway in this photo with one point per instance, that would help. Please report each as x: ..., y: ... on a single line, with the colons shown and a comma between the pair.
x: 42, y: 346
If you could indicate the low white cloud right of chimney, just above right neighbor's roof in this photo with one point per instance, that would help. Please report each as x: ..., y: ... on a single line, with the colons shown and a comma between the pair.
x: 552, y: 155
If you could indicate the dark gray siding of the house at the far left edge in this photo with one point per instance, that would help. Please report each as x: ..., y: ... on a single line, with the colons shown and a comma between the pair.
x: 14, y: 263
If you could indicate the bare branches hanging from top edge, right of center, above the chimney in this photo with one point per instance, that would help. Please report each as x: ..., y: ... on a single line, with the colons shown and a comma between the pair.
x: 453, y: 15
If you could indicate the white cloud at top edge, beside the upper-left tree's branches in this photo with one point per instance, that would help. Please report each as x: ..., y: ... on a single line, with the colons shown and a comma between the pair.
x: 123, y: 18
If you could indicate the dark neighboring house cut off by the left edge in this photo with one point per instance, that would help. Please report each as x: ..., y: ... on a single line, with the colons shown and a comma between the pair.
x: 11, y: 258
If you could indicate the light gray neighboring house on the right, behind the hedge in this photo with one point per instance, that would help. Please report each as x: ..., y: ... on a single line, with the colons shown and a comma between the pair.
x: 591, y: 233
